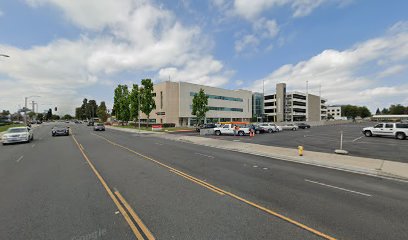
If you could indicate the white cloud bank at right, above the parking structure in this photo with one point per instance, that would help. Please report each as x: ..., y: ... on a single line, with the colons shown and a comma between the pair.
x: 343, y: 75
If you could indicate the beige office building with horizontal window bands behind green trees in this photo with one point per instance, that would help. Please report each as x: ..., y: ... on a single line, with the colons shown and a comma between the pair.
x: 174, y: 104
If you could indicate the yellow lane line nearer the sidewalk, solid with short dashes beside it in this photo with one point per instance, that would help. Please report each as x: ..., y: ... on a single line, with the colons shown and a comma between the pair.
x: 223, y: 192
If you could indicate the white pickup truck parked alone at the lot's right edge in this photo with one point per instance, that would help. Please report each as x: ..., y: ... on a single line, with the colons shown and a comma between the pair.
x: 397, y: 130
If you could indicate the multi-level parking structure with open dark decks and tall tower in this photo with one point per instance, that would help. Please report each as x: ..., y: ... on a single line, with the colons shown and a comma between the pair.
x: 283, y: 106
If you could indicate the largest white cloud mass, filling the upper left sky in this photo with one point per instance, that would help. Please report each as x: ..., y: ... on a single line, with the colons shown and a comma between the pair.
x: 118, y: 36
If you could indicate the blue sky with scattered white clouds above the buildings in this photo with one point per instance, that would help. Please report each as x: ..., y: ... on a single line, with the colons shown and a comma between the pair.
x: 349, y: 51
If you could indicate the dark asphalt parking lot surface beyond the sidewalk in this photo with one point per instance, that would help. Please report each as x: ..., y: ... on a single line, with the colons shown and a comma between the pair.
x: 327, y: 139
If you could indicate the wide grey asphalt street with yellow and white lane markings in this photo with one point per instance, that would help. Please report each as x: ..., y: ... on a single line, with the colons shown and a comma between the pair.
x: 184, y: 191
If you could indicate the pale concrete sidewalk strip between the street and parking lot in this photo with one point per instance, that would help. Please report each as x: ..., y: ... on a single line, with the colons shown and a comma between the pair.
x: 370, y: 166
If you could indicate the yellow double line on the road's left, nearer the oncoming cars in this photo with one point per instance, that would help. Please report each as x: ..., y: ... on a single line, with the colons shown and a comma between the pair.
x: 139, y: 229
